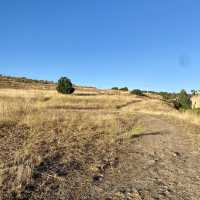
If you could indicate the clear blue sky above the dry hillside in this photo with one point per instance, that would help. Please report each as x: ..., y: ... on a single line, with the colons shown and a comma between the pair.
x: 142, y: 44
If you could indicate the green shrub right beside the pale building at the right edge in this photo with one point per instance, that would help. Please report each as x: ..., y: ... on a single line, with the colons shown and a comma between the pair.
x: 183, y: 101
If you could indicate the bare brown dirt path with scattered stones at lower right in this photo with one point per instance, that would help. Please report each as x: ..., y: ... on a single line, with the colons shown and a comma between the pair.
x: 161, y: 163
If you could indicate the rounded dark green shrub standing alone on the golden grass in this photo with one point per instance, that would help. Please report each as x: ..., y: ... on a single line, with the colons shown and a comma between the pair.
x: 65, y: 86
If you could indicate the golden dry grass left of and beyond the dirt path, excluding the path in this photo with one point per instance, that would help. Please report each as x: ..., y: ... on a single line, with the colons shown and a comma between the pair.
x: 44, y: 131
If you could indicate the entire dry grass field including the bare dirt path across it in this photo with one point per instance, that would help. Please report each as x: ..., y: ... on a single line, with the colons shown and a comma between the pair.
x: 96, y: 144
